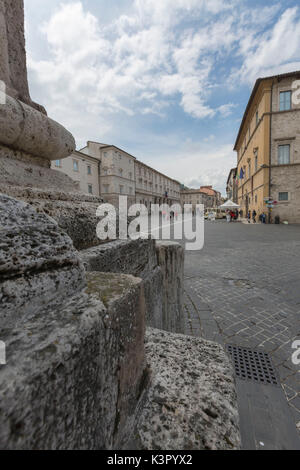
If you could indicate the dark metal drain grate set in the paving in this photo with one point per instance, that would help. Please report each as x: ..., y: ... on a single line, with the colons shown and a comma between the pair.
x: 254, y: 365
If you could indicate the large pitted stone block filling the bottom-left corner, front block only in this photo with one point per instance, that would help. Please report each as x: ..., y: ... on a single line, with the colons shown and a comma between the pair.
x: 75, y: 371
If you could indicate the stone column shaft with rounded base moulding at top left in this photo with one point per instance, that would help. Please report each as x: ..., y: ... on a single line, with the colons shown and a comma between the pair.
x: 24, y: 125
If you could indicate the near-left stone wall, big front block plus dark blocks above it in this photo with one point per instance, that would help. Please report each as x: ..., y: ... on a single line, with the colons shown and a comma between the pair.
x: 75, y: 347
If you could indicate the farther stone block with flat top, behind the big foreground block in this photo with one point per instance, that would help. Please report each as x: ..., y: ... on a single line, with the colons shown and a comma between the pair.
x: 159, y: 264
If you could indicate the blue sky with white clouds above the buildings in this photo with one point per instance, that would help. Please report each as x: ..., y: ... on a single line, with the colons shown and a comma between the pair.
x: 166, y: 80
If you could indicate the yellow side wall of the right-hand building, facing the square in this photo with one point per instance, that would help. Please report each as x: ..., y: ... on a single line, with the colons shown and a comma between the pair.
x: 253, y: 150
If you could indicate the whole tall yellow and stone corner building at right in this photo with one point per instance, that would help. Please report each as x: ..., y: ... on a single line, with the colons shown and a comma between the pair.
x: 268, y: 149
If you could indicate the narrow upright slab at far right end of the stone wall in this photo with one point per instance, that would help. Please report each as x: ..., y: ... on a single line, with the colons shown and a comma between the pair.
x: 171, y: 261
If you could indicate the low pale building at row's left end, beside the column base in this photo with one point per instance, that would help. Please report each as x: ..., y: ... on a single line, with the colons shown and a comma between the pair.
x: 83, y: 169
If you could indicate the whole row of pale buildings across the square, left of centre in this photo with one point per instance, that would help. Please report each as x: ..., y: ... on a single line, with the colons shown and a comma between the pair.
x: 108, y: 171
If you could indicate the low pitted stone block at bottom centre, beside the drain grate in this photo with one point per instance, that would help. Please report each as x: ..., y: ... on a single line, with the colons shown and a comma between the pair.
x: 192, y: 402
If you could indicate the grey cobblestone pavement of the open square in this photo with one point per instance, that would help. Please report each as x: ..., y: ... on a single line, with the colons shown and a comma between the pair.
x: 244, y: 288
